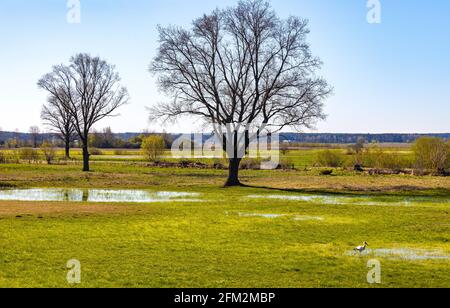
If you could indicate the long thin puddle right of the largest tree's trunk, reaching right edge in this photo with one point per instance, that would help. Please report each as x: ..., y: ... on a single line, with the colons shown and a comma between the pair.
x: 356, y: 200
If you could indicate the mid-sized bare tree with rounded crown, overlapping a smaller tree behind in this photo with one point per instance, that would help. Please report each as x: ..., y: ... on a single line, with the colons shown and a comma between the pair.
x: 89, y: 89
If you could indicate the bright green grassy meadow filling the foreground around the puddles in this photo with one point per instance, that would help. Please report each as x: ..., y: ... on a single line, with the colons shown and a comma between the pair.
x: 236, y: 237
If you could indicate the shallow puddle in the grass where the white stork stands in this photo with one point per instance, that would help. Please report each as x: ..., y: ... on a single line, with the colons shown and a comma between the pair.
x: 407, y: 254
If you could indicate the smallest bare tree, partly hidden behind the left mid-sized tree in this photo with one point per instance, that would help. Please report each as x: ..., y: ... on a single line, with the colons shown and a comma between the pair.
x: 58, y: 118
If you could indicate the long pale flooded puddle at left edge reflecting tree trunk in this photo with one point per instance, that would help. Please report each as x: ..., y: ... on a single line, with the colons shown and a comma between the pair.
x: 95, y: 195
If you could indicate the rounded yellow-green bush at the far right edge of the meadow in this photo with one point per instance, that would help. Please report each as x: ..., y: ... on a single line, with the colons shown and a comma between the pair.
x: 432, y: 154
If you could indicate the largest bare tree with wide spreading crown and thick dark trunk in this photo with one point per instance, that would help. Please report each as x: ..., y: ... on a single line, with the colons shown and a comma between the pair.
x: 241, y: 66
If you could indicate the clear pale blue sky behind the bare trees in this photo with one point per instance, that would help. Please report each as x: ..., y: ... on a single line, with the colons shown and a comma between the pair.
x: 390, y: 77
